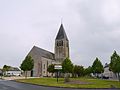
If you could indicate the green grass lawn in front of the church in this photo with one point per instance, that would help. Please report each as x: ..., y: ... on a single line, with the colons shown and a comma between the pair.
x: 90, y: 82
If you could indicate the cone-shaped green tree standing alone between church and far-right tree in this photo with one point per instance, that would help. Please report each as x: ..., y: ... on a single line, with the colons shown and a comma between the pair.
x: 97, y: 67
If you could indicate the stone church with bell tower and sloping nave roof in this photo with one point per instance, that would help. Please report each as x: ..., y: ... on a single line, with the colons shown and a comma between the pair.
x: 43, y: 58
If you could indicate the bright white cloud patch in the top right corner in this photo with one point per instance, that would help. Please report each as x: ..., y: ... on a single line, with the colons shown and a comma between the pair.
x: 110, y: 11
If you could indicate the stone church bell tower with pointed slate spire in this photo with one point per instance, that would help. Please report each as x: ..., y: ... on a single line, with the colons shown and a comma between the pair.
x: 61, y: 45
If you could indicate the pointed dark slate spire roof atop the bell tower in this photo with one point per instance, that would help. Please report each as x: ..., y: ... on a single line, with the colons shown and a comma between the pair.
x: 61, y: 34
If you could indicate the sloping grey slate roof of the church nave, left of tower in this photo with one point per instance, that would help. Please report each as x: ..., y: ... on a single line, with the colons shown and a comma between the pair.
x: 36, y: 51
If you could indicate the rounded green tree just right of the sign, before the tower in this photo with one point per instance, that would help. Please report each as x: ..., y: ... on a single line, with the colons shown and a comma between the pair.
x: 67, y: 67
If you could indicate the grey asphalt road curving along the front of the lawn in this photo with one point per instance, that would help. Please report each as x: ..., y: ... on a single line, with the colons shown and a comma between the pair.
x: 11, y: 85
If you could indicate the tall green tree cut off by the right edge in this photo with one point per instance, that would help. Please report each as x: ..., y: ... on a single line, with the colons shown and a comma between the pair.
x: 115, y: 64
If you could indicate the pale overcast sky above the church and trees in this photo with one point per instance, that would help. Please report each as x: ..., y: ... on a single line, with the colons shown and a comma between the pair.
x: 92, y: 26
